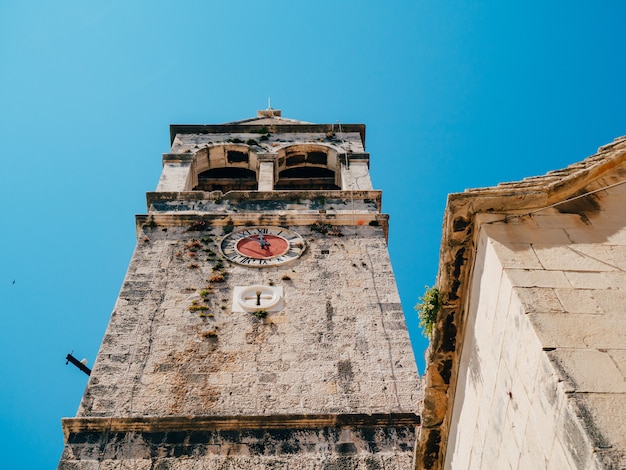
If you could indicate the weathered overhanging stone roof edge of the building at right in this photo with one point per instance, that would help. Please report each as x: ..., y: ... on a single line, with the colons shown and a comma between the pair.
x: 456, y: 260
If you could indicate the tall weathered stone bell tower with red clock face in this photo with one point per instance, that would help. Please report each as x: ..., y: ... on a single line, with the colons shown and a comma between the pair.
x: 259, y: 324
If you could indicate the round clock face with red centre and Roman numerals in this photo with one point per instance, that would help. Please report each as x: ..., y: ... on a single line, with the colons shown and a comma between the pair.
x: 262, y: 246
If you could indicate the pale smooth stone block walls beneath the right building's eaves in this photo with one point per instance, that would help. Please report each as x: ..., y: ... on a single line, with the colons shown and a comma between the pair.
x: 542, y: 382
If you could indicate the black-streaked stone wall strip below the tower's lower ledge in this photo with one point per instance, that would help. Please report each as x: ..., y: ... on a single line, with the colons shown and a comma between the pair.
x: 289, y: 447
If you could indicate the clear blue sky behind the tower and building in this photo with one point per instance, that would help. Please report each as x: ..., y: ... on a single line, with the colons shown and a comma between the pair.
x: 454, y: 95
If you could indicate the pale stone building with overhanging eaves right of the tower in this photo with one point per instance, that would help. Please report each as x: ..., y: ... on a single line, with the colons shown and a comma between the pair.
x: 527, y: 366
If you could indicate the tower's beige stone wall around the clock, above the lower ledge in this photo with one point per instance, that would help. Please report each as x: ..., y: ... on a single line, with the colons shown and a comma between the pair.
x: 327, y: 351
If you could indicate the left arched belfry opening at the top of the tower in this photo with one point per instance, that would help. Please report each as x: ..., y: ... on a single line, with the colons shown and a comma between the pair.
x: 230, y: 167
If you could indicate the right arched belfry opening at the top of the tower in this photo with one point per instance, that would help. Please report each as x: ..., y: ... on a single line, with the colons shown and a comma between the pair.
x: 307, y: 167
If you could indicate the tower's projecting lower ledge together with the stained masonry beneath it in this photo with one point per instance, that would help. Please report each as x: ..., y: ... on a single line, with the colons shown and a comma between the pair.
x: 294, y: 442
